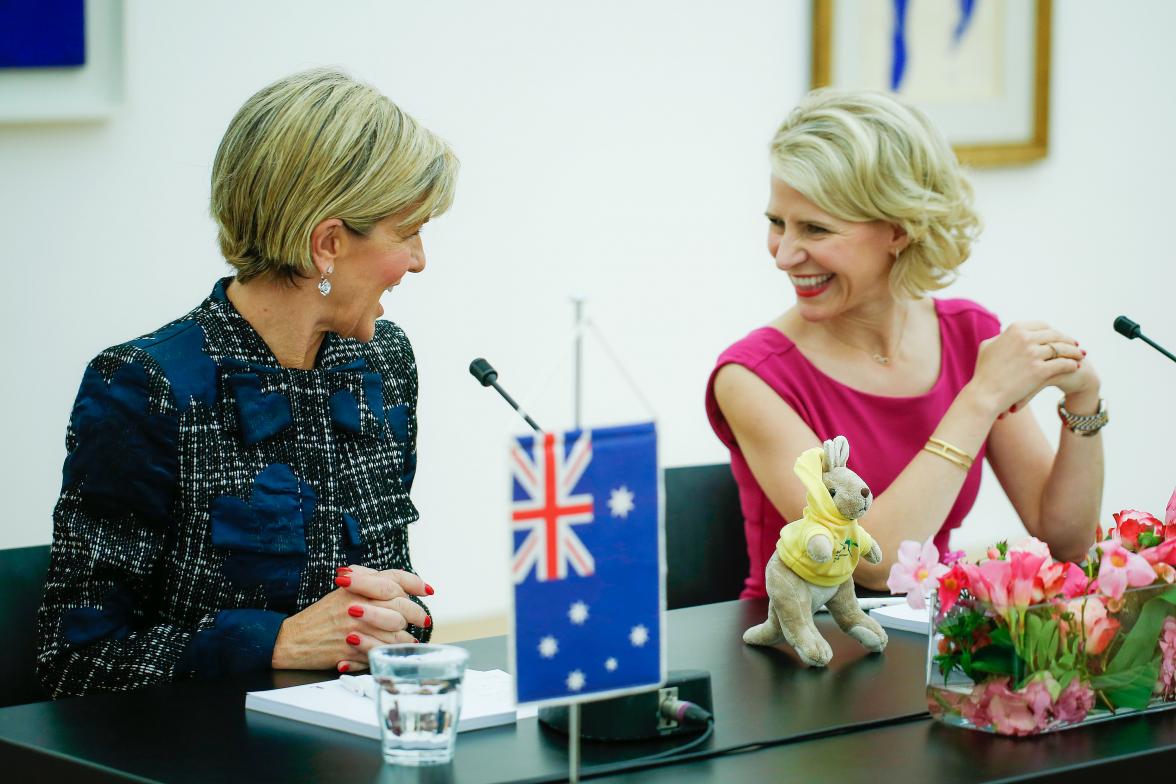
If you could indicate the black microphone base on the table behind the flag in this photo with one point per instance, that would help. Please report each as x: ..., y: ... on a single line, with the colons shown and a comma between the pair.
x: 637, y: 718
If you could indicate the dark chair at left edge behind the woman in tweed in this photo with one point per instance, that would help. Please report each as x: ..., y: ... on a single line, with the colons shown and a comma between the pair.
x: 22, y: 582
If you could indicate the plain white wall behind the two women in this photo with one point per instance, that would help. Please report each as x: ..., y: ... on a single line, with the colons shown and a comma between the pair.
x: 613, y: 150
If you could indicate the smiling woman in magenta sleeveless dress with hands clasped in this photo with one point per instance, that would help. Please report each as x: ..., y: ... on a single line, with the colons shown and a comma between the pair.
x: 868, y: 213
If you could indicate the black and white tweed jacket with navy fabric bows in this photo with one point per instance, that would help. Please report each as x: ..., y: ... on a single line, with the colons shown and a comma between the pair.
x: 210, y: 493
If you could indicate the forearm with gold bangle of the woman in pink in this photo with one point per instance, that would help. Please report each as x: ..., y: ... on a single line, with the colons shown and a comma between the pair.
x: 918, y: 502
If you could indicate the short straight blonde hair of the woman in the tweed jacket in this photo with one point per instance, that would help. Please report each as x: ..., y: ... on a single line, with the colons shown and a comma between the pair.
x: 313, y: 146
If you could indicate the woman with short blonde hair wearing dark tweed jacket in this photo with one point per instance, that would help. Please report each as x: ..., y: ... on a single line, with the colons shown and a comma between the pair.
x: 236, y: 492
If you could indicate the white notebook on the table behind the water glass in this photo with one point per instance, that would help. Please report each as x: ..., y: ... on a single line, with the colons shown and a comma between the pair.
x: 487, y: 700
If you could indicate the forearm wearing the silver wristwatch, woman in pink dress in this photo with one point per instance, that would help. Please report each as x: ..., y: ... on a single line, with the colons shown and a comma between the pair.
x: 1073, y: 493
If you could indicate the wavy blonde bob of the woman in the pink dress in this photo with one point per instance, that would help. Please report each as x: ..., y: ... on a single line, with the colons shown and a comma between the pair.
x: 867, y: 157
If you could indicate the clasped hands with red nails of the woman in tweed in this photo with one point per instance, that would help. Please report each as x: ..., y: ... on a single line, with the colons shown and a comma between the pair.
x: 370, y: 608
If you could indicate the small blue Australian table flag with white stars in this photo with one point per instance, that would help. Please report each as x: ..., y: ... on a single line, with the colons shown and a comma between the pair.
x: 587, y: 566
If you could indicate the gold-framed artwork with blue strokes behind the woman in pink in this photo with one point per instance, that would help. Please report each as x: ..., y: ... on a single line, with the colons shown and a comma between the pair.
x: 980, y: 69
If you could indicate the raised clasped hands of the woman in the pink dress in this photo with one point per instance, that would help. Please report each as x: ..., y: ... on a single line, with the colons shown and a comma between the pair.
x: 1025, y: 359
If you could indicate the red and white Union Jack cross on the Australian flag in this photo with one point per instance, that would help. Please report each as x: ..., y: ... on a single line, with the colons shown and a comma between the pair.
x: 550, y: 510
